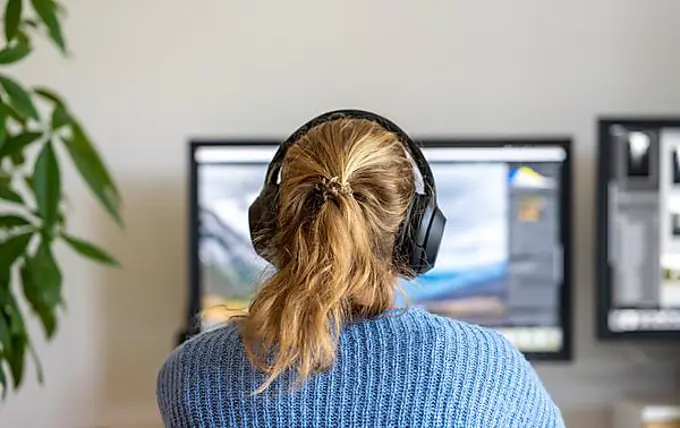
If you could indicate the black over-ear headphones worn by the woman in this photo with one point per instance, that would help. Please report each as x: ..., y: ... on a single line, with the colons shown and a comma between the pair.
x: 420, y: 234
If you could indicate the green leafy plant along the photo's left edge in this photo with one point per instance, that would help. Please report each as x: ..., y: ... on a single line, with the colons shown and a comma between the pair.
x: 39, y: 135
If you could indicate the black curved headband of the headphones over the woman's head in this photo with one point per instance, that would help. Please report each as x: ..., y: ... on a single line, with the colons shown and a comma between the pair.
x: 409, y: 144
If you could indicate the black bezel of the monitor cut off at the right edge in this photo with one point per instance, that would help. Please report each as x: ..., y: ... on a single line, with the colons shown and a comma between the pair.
x: 604, y: 276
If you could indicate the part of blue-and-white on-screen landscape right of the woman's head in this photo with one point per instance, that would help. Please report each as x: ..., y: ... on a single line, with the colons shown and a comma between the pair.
x: 470, y: 277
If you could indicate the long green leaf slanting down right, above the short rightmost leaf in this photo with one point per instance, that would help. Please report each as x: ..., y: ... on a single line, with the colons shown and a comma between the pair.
x: 94, y: 172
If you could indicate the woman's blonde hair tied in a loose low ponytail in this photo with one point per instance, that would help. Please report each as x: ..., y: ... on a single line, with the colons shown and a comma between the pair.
x: 345, y: 188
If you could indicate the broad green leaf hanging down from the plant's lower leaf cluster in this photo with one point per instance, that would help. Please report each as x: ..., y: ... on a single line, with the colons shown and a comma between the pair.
x: 46, y: 274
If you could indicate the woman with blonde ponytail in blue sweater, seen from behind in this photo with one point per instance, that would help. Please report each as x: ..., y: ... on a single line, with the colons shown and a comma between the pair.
x: 321, y: 344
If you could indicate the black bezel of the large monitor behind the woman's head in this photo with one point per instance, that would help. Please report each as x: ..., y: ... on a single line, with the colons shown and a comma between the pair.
x: 564, y: 354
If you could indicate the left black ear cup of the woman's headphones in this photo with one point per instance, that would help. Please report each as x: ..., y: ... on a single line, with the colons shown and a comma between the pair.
x: 262, y: 218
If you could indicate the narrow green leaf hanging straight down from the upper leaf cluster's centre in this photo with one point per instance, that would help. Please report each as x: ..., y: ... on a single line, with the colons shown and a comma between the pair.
x: 47, y: 186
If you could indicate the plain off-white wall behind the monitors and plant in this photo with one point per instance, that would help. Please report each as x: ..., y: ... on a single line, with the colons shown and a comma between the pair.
x: 149, y: 74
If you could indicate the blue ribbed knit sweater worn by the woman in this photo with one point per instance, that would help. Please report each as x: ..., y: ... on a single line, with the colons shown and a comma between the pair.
x: 405, y: 369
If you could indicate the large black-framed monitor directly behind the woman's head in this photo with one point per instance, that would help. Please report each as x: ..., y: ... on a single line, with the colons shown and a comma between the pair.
x: 504, y: 261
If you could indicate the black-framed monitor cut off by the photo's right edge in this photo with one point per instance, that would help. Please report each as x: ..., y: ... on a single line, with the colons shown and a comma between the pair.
x: 639, y: 228
